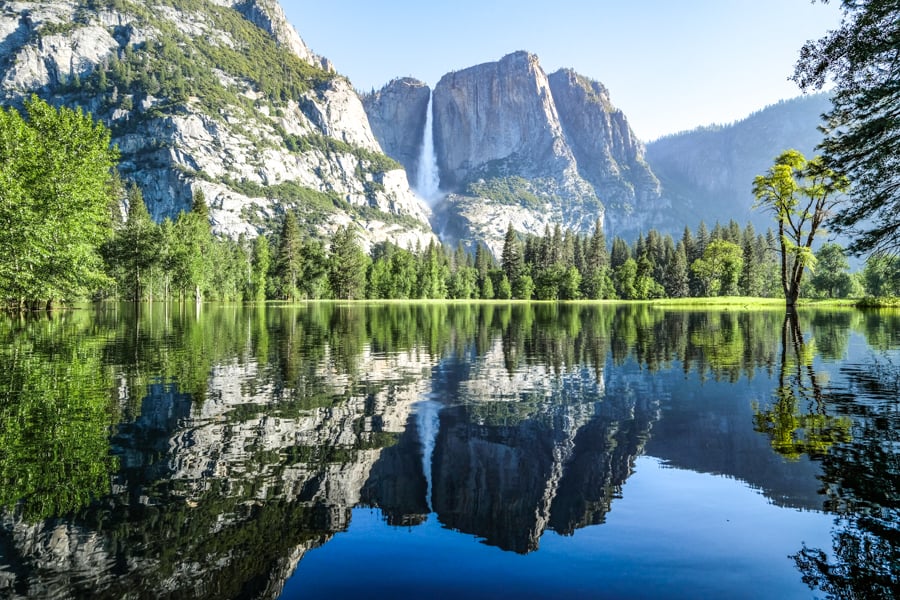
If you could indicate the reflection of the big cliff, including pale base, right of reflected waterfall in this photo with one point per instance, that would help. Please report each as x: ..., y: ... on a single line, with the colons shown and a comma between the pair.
x: 547, y: 447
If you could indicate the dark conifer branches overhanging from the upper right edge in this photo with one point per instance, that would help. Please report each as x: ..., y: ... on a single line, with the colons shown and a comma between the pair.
x: 862, y: 130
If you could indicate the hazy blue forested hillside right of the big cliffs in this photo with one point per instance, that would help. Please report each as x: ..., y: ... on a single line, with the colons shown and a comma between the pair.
x: 707, y: 174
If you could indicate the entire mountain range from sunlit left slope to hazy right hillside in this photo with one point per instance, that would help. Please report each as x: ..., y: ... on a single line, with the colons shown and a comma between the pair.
x: 224, y: 97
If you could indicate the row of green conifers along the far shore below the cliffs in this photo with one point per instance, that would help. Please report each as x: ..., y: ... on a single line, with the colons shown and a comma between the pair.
x: 184, y: 260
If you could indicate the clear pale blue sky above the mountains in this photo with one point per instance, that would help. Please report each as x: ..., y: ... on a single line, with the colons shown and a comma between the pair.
x: 670, y: 65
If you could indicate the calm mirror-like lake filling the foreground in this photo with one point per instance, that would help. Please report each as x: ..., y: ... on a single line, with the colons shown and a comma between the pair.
x: 449, y: 451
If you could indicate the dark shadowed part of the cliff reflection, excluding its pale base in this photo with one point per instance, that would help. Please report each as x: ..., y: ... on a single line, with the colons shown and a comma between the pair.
x: 560, y: 471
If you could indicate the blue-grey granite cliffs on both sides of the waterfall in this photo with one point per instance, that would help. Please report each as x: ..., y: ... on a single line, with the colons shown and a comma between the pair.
x: 515, y: 146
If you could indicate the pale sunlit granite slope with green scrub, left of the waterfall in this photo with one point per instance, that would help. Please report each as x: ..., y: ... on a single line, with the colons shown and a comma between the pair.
x: 198, y: 100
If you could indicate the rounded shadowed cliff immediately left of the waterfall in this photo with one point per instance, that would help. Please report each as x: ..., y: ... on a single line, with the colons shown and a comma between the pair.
x: 396, y: 113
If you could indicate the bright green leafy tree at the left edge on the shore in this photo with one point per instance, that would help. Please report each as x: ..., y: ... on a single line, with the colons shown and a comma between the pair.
x: 57, y: 187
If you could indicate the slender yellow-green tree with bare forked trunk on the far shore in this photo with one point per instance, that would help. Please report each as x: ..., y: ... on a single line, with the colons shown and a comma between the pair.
x: 800, y: 194
